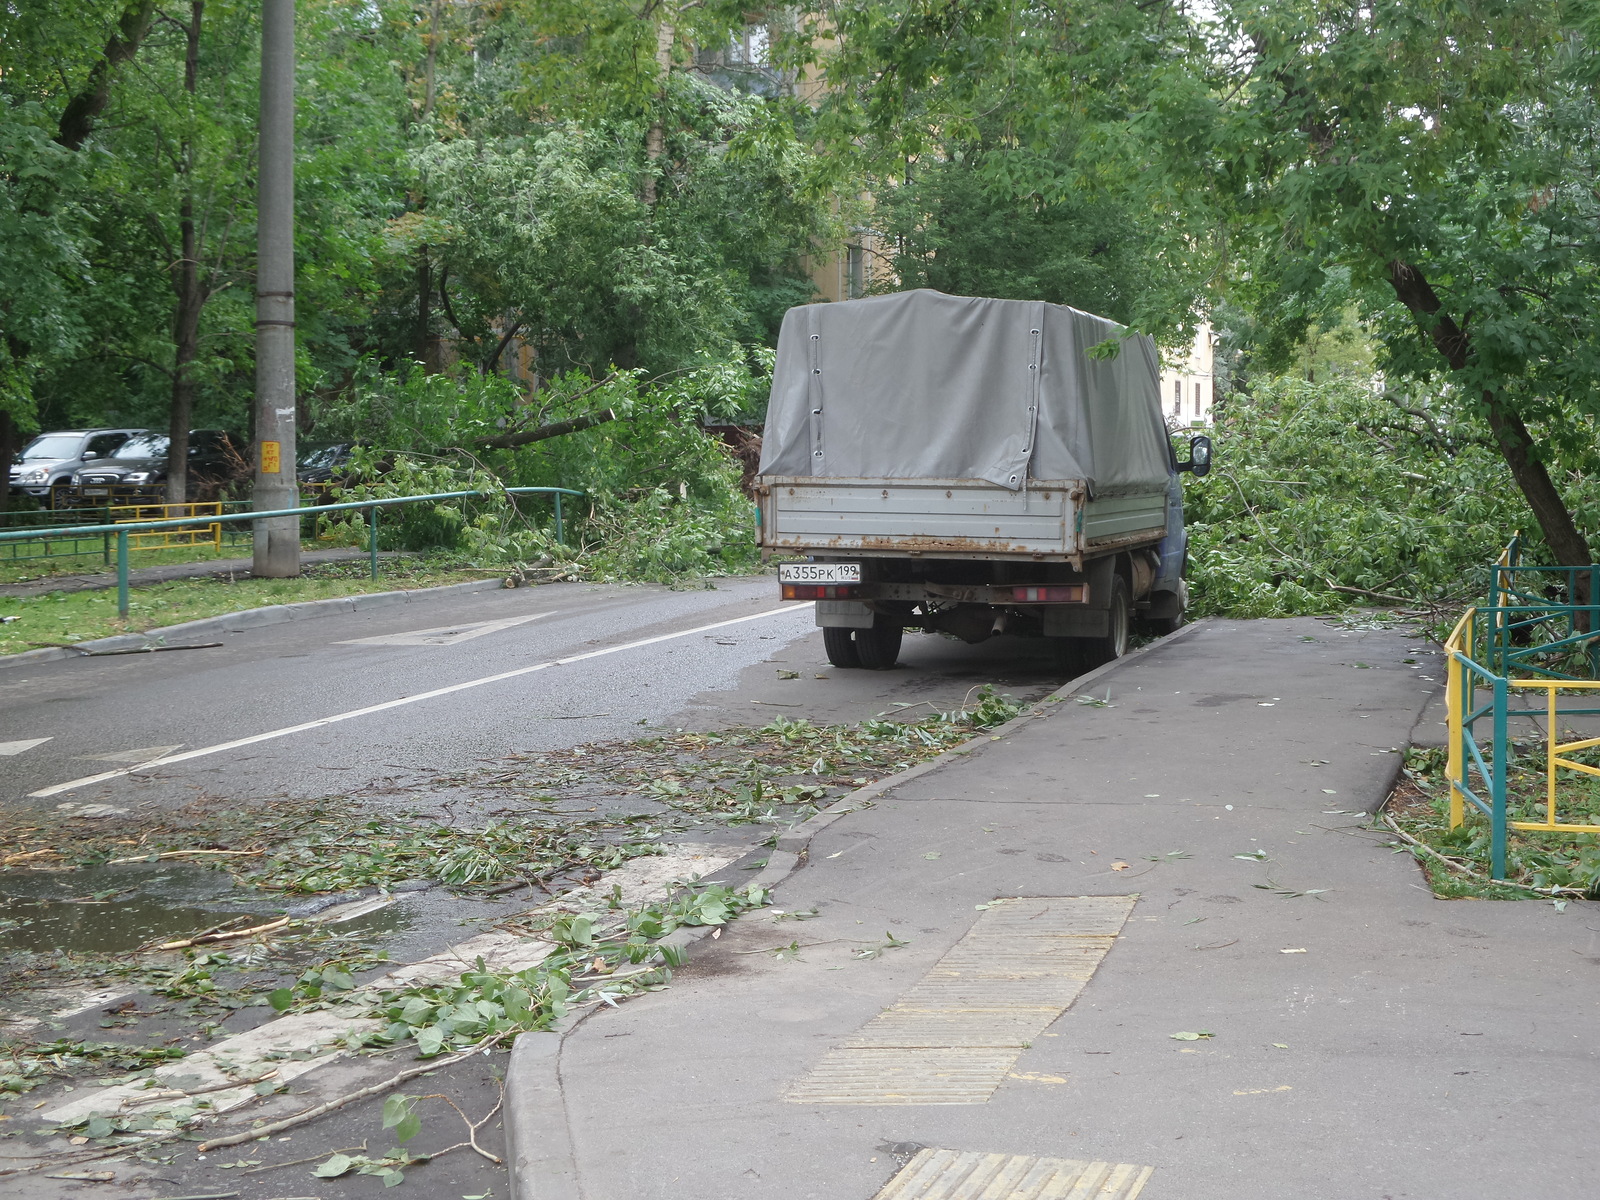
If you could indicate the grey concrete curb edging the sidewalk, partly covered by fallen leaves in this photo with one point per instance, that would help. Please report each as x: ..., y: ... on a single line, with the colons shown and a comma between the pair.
x: 540, y: 1156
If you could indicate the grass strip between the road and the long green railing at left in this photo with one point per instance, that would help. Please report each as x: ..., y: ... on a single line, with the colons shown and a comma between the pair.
x: 66, y: 618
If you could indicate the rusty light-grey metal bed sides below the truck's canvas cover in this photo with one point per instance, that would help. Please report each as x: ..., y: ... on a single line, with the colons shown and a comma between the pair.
x: 951, y: 518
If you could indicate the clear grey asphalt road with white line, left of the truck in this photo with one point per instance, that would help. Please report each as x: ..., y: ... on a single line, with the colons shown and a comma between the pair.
x: 449, y: 682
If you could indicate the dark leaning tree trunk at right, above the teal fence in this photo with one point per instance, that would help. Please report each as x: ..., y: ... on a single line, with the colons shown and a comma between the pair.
x: 1556, y: 521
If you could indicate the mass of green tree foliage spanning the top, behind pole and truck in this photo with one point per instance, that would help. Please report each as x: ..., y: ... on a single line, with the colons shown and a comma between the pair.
x: 506, y: 206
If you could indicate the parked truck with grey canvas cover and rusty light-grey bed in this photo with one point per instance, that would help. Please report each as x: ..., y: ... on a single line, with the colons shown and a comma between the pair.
x: 972, y: 468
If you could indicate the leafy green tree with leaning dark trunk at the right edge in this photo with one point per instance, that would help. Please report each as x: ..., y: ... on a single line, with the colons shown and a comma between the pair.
x: 1442, y: 153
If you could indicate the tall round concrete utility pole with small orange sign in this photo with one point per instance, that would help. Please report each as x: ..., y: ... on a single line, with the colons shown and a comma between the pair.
x: 278, y: 542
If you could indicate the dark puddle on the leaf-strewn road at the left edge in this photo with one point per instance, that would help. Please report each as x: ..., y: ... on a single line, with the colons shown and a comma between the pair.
x: 116, y: 910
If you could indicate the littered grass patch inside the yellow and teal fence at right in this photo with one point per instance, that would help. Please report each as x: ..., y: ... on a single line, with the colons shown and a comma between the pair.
x: 1457, y: 862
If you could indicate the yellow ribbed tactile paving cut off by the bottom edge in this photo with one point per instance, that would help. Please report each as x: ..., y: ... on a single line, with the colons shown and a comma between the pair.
x: 969, y: 1175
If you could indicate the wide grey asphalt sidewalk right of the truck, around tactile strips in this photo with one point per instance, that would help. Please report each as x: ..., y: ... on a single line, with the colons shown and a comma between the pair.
x: 1367, y: 1039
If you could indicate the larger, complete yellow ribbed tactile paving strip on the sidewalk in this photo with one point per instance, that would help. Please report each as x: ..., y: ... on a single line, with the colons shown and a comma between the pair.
x: 956, y: 1034
